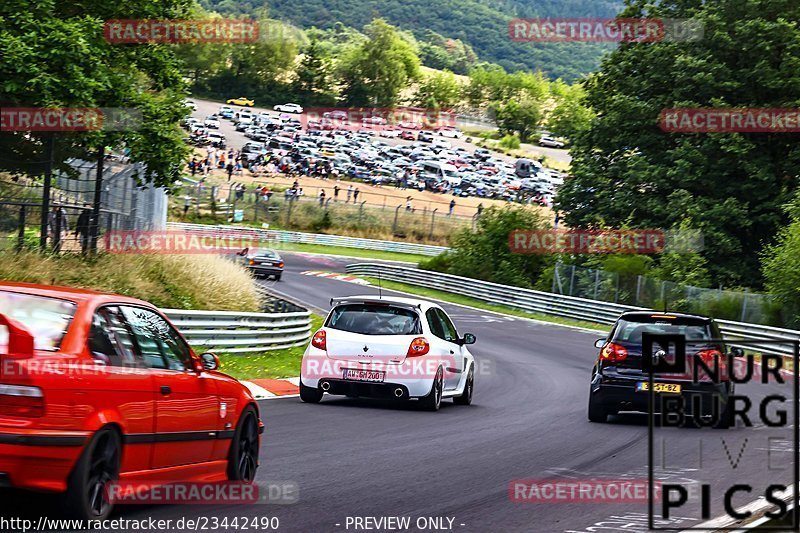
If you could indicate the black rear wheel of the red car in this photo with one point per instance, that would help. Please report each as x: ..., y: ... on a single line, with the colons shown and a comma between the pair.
x: 97, y: 467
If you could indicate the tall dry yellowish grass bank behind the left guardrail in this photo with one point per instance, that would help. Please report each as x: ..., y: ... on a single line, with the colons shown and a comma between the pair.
x: 168, y: 281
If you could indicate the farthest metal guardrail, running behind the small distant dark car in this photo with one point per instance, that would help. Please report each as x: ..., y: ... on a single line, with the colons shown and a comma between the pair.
x: 297, y: 237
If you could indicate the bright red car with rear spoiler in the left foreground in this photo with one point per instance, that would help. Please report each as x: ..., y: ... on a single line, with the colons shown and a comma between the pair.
x: 96, y: 388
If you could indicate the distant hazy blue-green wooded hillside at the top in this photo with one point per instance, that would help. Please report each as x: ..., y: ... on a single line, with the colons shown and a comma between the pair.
x: 483, y: 24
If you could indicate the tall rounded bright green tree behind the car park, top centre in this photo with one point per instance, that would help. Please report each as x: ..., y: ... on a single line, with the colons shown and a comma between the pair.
x: 375, y: 73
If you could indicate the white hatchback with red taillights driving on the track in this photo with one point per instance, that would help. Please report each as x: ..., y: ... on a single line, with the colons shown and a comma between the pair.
x: 399, y: 348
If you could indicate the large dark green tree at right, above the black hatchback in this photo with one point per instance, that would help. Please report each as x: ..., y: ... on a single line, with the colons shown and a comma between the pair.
x: 731, y: 185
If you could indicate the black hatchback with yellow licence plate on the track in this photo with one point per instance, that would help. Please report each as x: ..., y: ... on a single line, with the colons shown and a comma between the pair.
x: 619, y: 382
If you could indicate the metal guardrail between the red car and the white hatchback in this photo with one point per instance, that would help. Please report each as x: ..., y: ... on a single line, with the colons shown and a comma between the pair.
x: 235, y: 332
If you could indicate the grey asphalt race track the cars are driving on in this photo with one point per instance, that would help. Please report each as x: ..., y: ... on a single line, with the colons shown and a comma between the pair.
x: 355, y: 458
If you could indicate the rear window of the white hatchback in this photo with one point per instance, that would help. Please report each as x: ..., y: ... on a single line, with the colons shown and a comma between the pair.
x: 375, y: 319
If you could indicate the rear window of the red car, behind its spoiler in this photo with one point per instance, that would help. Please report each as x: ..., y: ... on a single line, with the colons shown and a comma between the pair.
x: 47, y: 319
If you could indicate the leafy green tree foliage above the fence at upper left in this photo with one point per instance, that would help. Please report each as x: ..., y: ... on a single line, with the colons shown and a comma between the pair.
x: 53, y: 54
